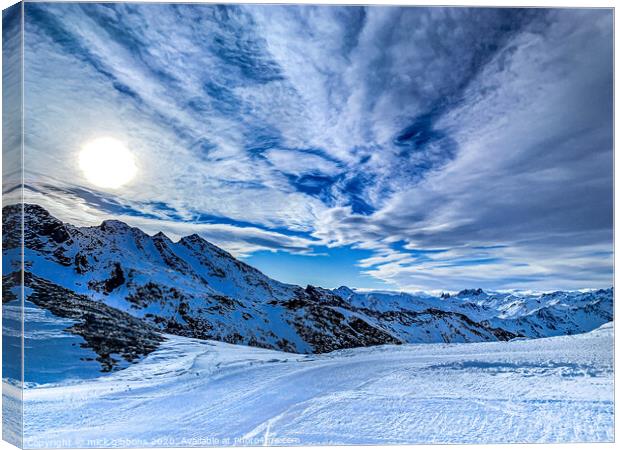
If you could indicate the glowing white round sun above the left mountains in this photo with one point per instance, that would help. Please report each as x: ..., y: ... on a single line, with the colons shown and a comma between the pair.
x: 107, y: 163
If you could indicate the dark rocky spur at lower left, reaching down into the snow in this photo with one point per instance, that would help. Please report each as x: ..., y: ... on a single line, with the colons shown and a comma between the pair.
x: 107, y: 331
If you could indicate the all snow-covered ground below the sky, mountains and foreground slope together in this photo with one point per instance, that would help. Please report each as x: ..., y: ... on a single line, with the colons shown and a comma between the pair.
x: 103, y: 295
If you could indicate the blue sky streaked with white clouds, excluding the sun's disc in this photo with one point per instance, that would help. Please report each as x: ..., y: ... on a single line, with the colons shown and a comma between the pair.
x: 375, y: 147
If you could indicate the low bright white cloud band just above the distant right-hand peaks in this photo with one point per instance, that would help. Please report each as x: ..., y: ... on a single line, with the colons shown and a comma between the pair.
x: 588, y: 266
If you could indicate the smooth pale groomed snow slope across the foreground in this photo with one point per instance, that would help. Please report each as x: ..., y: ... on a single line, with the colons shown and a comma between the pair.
x: 195, y: 392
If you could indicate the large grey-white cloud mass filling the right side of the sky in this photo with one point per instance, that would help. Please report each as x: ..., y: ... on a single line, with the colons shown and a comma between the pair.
x: 534, y: 176
